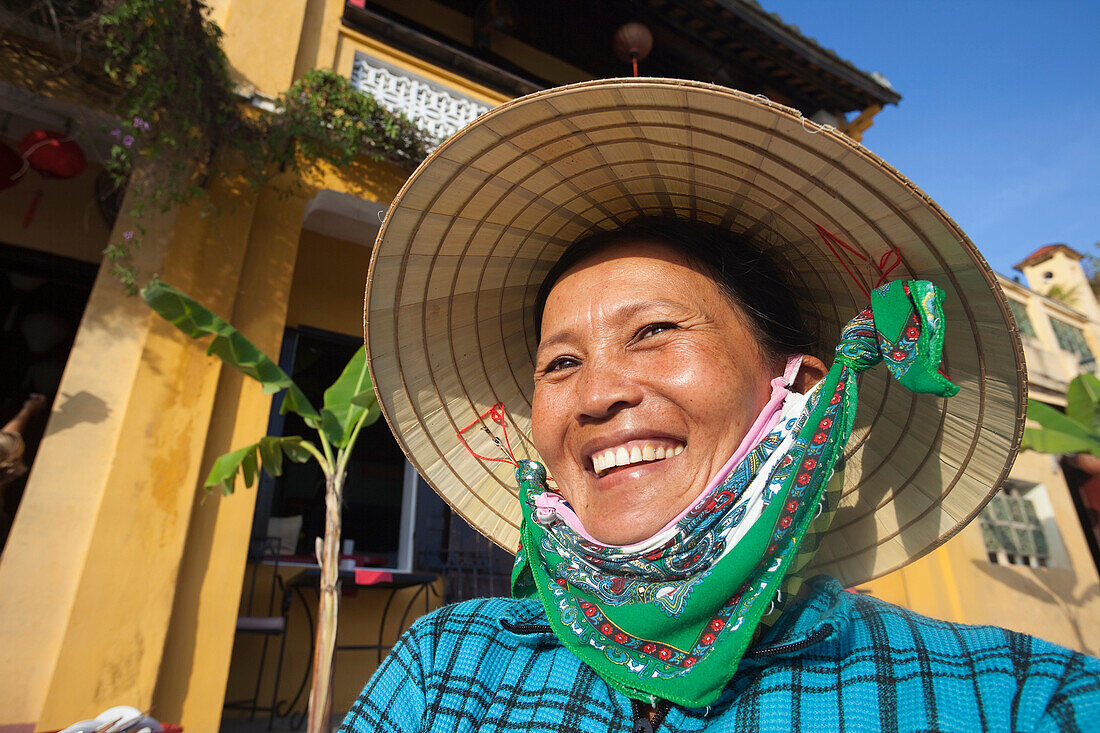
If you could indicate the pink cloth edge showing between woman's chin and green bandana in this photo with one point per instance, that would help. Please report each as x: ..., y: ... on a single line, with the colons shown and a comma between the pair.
x: 549, y: 504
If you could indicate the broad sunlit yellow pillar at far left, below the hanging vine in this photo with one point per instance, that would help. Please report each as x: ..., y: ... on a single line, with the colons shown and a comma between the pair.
x: 90, y: 573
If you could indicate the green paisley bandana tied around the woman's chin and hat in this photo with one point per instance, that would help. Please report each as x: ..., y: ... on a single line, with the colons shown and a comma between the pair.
x: 672, y: 617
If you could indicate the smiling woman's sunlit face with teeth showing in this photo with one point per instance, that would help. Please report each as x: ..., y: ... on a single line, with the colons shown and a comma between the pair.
x: 646, y: 380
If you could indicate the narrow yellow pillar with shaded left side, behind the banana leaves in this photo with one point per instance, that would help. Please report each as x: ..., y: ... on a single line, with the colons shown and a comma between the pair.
x: 195, y: 669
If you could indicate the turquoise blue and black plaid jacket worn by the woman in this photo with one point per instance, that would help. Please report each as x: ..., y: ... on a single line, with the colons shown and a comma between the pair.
x: 835, y: 662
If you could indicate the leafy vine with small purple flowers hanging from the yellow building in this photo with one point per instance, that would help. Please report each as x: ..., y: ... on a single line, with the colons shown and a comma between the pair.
x: 179, y: 107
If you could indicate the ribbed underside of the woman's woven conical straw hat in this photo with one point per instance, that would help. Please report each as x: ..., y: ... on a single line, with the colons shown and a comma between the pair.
x: 469, y: 239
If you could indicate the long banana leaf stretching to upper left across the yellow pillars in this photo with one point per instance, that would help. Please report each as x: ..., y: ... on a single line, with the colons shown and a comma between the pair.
x: 228, y: 345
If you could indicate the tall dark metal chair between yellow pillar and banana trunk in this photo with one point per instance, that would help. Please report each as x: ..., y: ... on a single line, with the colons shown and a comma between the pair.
x: 268, y: 620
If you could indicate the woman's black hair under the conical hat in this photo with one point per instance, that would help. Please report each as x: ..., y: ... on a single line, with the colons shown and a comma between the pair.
x: 747, y: 277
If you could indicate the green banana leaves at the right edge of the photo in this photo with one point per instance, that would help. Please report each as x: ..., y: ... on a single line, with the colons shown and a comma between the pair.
x: 1077, y: 431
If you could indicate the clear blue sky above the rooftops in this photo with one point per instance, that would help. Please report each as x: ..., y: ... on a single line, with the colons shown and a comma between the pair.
x: 1000, y: 113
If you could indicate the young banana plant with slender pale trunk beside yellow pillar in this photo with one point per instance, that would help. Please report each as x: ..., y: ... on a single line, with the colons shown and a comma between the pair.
x: 349, y: 407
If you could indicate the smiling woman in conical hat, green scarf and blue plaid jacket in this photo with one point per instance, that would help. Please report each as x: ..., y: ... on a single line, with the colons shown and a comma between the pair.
x: 599, y: 293
